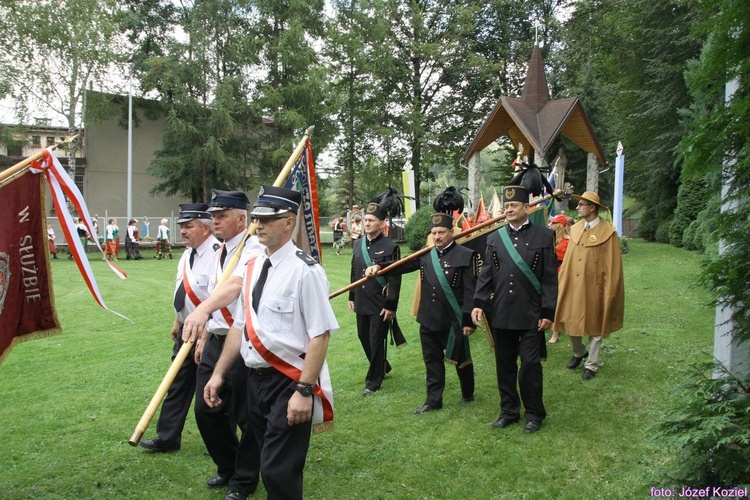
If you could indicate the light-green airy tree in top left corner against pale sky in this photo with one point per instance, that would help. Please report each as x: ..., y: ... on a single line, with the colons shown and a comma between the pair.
x: 53, y: 52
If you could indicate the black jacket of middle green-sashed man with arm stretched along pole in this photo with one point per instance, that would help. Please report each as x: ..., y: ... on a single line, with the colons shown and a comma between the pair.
x: 460, y: 265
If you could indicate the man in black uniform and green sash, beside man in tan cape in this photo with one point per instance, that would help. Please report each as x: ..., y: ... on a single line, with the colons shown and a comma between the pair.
x: 517, y: 288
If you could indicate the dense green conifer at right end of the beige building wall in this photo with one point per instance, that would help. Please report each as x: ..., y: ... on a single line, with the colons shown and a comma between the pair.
x: 213, y: 137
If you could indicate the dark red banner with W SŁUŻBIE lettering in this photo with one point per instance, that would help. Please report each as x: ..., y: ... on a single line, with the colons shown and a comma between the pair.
x: 26, y: 297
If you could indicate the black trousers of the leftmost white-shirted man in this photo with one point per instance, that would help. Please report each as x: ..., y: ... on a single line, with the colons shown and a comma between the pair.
x: 180, y: 394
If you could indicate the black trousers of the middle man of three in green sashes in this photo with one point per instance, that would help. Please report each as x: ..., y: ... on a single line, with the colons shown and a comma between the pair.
x: 433, y: 353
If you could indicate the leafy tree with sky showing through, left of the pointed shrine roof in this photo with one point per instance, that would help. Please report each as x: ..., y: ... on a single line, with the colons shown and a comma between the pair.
x: 428, y: 70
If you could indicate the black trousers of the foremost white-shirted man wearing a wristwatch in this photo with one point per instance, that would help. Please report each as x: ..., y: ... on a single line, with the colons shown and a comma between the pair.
x: 283, y: 447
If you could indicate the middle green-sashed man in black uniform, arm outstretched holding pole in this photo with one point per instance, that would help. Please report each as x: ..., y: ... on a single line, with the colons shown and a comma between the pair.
x: 448, y: 276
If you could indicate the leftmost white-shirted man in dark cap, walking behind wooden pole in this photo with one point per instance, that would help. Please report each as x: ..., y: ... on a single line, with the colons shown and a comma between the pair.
x: 191, y: 288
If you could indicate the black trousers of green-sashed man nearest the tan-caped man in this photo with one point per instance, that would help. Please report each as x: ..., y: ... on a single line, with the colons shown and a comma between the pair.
x: 509, y: 346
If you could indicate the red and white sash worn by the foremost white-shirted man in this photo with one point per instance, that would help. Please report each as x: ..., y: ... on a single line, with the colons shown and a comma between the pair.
x: 287, y: 362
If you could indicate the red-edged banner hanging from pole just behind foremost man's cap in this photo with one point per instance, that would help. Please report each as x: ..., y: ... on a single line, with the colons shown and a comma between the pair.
x: 302, y: 178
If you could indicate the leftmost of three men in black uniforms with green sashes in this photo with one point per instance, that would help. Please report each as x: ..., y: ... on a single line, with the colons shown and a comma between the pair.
x: 374, y: 302
